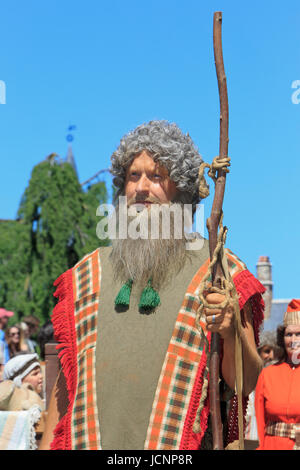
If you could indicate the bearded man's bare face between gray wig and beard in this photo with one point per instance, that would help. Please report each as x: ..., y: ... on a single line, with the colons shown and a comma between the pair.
x: 147, y: 182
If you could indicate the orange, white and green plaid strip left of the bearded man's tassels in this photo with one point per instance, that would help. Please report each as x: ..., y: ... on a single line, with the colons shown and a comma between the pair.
x: 85, y: 424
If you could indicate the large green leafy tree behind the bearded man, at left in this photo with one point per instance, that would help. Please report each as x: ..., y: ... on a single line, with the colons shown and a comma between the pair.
x: 56, y: 227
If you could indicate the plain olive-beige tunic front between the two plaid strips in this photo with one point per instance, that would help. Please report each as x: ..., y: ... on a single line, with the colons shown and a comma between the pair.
x: 130, y: 352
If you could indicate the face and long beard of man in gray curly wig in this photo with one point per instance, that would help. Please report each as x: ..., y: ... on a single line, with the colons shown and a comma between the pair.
x: 156, y: 254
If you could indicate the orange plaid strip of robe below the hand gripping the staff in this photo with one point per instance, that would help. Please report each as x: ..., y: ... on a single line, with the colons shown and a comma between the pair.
x: 176, y: 381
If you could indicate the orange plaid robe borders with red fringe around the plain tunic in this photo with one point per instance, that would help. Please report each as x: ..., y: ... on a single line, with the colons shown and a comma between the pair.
x: 180, y: 384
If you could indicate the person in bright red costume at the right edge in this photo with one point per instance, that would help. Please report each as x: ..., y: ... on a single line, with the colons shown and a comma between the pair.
x: 277, y: 403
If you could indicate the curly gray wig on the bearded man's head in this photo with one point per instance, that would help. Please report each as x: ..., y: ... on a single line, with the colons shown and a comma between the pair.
x: 167, y: 145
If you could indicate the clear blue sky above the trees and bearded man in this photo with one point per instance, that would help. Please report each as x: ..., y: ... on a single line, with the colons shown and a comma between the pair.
x: 109, y: 66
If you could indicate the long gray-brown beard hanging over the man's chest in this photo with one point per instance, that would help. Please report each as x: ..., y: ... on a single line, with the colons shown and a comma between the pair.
x: 143, y: 259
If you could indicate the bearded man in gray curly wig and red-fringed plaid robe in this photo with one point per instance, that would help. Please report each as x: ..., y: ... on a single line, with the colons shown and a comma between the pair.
x: 134, y: 361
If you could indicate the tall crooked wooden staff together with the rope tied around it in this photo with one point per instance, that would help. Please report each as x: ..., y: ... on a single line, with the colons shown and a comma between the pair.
x: 218, y: 271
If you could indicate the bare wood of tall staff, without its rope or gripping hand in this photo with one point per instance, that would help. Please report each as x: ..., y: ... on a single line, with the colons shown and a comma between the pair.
x: 212, y: 226
